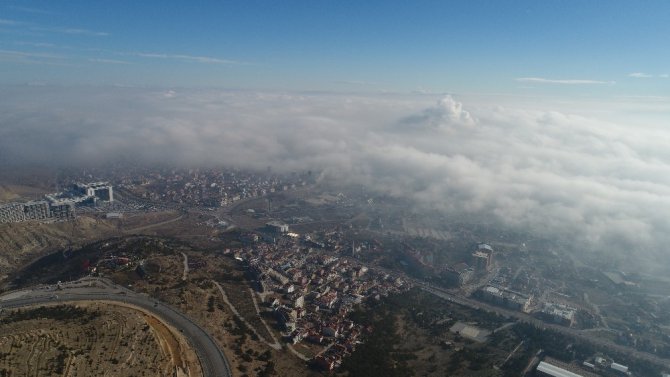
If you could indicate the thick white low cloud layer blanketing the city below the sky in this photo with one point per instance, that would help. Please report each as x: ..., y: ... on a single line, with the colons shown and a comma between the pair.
x: 604, y: 185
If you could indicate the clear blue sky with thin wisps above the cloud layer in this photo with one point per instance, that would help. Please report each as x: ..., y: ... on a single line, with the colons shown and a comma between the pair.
x: 587, y: 48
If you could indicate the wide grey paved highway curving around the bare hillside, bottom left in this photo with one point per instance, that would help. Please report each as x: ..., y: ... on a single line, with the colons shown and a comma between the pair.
x: 212, y: 360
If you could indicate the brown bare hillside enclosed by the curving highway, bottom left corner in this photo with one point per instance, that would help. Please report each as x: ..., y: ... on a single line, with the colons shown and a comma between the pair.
x: 92, y: 340
